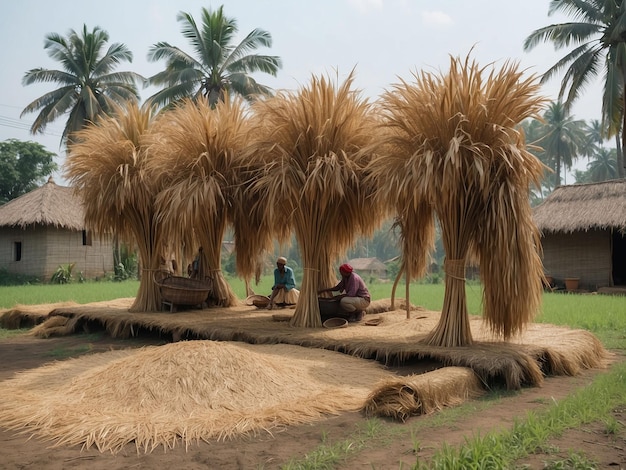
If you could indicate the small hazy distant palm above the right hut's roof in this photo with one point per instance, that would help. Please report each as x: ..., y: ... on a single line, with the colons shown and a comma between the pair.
x: 563, y: 138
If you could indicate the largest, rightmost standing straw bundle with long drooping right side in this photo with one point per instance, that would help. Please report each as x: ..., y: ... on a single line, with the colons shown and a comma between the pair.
x: 453, y: 147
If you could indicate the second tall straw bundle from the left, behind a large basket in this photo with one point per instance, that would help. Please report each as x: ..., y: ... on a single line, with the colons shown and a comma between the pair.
x: 194, y: 150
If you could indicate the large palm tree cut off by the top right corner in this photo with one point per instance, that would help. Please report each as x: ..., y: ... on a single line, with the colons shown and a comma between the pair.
x: 597, y: 37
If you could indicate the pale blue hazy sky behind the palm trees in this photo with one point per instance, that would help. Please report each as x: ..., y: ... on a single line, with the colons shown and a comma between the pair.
x: 381, y: 39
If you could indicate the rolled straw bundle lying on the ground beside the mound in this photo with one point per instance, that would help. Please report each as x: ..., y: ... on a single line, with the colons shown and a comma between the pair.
x: 403, y: 397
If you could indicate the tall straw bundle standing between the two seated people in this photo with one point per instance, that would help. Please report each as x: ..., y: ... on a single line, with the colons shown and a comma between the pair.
x: 311, y: 177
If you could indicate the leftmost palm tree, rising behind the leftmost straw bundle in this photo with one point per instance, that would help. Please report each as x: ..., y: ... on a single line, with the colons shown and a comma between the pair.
x: 89, y: 86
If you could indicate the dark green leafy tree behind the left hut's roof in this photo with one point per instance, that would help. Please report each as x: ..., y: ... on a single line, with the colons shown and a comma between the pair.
x: 23, y: 167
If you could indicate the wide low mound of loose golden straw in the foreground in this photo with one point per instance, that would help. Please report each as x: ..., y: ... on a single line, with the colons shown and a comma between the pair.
x: 188, y: 391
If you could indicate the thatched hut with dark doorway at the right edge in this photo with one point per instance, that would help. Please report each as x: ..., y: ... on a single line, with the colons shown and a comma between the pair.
x: 584, y: 233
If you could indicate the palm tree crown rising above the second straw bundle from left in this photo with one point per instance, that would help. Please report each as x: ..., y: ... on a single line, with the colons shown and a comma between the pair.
x: 219, y: 65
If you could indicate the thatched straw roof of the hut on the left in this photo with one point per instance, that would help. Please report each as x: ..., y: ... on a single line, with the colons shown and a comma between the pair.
x: 49, y: 204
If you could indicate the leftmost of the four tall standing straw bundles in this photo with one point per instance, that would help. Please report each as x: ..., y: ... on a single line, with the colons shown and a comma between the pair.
x: 106, y: 165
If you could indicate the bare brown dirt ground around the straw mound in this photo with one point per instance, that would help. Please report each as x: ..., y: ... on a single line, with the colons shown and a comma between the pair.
x: 270, y: 451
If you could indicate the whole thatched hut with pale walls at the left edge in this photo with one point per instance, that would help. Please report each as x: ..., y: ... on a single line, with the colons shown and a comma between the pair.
x: 45, y: 228
